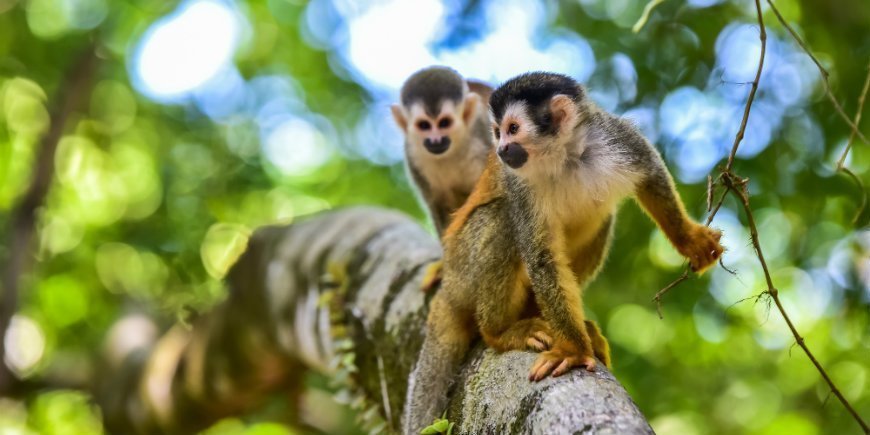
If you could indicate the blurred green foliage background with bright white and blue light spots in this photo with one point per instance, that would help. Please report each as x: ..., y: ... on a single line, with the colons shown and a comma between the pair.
x: 209, y: 118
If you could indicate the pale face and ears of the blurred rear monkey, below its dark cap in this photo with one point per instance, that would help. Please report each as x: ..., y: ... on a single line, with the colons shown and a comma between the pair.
x: 439, y: 134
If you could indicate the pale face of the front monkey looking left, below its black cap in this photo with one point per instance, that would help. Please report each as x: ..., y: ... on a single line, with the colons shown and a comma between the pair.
x: 535, y: 139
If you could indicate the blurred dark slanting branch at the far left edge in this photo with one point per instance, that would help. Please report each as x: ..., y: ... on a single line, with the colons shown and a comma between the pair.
x: 72, y: 91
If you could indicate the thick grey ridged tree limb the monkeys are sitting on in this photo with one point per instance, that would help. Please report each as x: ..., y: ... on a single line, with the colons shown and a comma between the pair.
x: 341, y: 294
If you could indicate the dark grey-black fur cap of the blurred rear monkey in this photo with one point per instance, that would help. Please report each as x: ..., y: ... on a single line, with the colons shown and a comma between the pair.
x: 432, y: 86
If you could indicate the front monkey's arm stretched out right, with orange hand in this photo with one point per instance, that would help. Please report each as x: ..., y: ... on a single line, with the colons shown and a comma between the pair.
x: 657, y: 195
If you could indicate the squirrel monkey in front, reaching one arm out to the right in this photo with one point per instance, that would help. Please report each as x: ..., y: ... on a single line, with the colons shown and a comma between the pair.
x: 536, y: 229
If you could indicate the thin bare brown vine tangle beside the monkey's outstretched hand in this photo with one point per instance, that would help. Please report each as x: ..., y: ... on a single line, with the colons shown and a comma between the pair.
x: 739, y: 187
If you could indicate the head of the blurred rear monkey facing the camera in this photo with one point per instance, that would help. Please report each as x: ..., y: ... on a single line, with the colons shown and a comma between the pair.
x: 436, y: 110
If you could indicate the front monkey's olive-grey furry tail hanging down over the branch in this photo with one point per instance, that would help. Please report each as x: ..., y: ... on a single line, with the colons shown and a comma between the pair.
x: 448, y: 337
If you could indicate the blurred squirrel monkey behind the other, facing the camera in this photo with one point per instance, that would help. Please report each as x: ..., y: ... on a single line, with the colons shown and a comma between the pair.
x: 447, y: 137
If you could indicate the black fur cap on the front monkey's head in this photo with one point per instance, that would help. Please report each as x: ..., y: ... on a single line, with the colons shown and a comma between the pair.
x: 535, y: 89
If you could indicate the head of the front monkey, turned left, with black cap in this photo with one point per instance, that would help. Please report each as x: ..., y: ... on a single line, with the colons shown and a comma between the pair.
x: 535, y: 121
